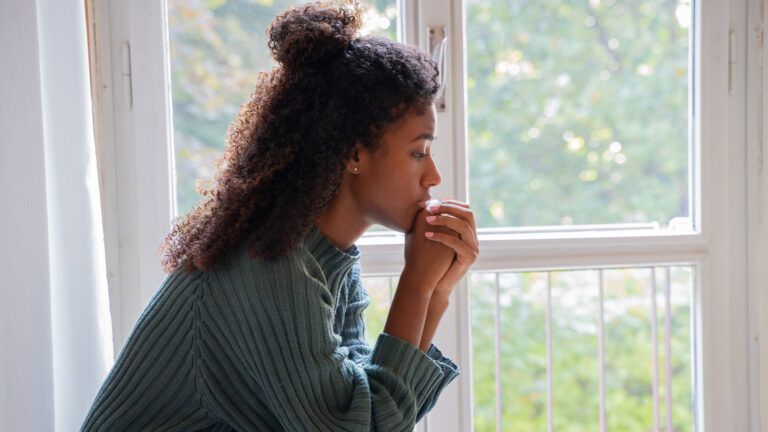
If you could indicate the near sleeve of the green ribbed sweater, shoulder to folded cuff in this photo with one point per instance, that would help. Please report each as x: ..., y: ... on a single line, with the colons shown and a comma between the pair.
x: 295, y: 364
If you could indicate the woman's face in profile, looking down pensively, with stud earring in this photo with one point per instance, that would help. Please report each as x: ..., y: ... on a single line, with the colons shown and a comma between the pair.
x: 395, y: 178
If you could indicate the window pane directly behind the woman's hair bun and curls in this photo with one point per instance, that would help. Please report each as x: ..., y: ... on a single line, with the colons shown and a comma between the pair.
x: 217, y: 48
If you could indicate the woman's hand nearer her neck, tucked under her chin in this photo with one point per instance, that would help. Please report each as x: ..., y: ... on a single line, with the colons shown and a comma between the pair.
x: 426, y: 261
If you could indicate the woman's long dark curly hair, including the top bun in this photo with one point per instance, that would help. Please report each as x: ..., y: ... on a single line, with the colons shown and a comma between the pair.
x: 289, y: 144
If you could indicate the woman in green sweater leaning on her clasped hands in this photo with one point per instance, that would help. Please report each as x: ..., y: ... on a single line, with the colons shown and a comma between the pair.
x: 258, y: 326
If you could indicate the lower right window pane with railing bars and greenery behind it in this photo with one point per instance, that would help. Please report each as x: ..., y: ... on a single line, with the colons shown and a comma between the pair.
x: 515, y: 397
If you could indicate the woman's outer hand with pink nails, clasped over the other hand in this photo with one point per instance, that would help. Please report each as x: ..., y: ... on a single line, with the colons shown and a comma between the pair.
x: 457, y: 216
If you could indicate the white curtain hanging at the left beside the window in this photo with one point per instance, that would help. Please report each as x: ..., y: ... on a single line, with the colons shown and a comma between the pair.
x: 55, y: 329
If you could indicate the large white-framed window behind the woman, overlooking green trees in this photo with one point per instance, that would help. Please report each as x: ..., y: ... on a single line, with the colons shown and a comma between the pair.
x: 598, y: 145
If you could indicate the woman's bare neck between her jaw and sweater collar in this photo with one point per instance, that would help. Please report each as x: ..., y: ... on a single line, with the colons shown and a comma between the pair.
x: 342, y: 223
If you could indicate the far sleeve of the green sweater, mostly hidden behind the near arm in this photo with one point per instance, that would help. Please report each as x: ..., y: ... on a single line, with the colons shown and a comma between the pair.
x: 353, y: 337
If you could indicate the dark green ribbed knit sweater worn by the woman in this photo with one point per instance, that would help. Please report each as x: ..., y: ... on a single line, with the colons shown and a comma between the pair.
x: 260, y: 345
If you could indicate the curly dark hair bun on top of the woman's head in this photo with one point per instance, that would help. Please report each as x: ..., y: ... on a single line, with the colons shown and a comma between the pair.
x: 307, y: 34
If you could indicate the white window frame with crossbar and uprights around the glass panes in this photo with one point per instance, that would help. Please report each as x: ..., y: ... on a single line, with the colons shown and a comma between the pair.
x: 133, y: 121
